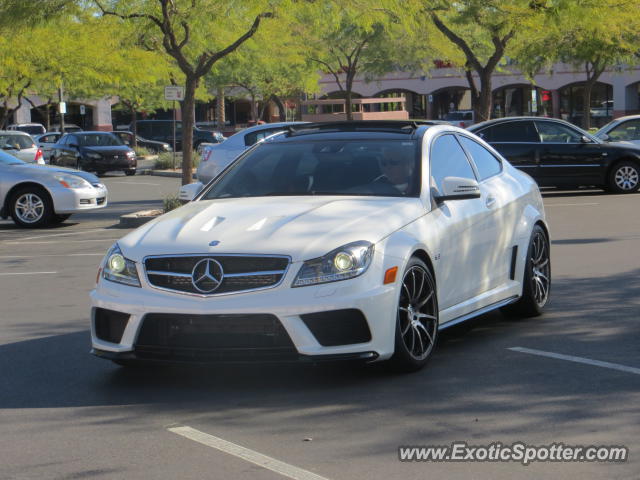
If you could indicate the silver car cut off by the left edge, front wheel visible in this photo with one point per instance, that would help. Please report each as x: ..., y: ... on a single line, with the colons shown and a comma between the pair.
x: 35, y: 196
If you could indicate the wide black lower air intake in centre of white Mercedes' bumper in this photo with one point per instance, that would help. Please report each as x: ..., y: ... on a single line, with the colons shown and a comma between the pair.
x: 213, y: 337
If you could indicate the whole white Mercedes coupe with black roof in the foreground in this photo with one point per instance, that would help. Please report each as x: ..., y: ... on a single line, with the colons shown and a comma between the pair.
x: 346, y: 240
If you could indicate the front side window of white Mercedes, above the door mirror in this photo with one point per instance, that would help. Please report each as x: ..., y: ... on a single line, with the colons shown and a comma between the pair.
x: 448, y: 160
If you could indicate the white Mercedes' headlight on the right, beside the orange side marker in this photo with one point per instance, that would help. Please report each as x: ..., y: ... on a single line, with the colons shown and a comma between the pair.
x: 343, y: 263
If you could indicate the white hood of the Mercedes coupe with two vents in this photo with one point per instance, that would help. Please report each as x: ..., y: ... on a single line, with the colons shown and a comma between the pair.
x: 301, y: 227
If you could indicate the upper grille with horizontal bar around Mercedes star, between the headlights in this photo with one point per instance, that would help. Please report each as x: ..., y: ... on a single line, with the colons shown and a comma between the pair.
x: 241, y: 273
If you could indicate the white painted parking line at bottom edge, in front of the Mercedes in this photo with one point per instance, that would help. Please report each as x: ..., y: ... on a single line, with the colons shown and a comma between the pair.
x: 251, y: 456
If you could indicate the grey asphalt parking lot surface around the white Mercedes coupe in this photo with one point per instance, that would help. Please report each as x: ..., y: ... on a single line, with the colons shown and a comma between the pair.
x: 67, y: 414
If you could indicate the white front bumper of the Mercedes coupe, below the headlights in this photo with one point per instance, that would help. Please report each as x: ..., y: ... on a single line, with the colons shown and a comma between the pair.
x: 291, y: 306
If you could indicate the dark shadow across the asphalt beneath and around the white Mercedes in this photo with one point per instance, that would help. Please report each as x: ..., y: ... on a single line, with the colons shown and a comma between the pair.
x: 471, y: 372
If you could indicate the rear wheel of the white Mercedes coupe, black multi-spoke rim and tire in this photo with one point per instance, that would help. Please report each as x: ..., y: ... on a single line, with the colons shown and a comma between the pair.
x: 537, y: 278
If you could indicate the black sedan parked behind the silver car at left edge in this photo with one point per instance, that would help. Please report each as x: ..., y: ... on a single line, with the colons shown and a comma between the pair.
x: 95, y: 152
